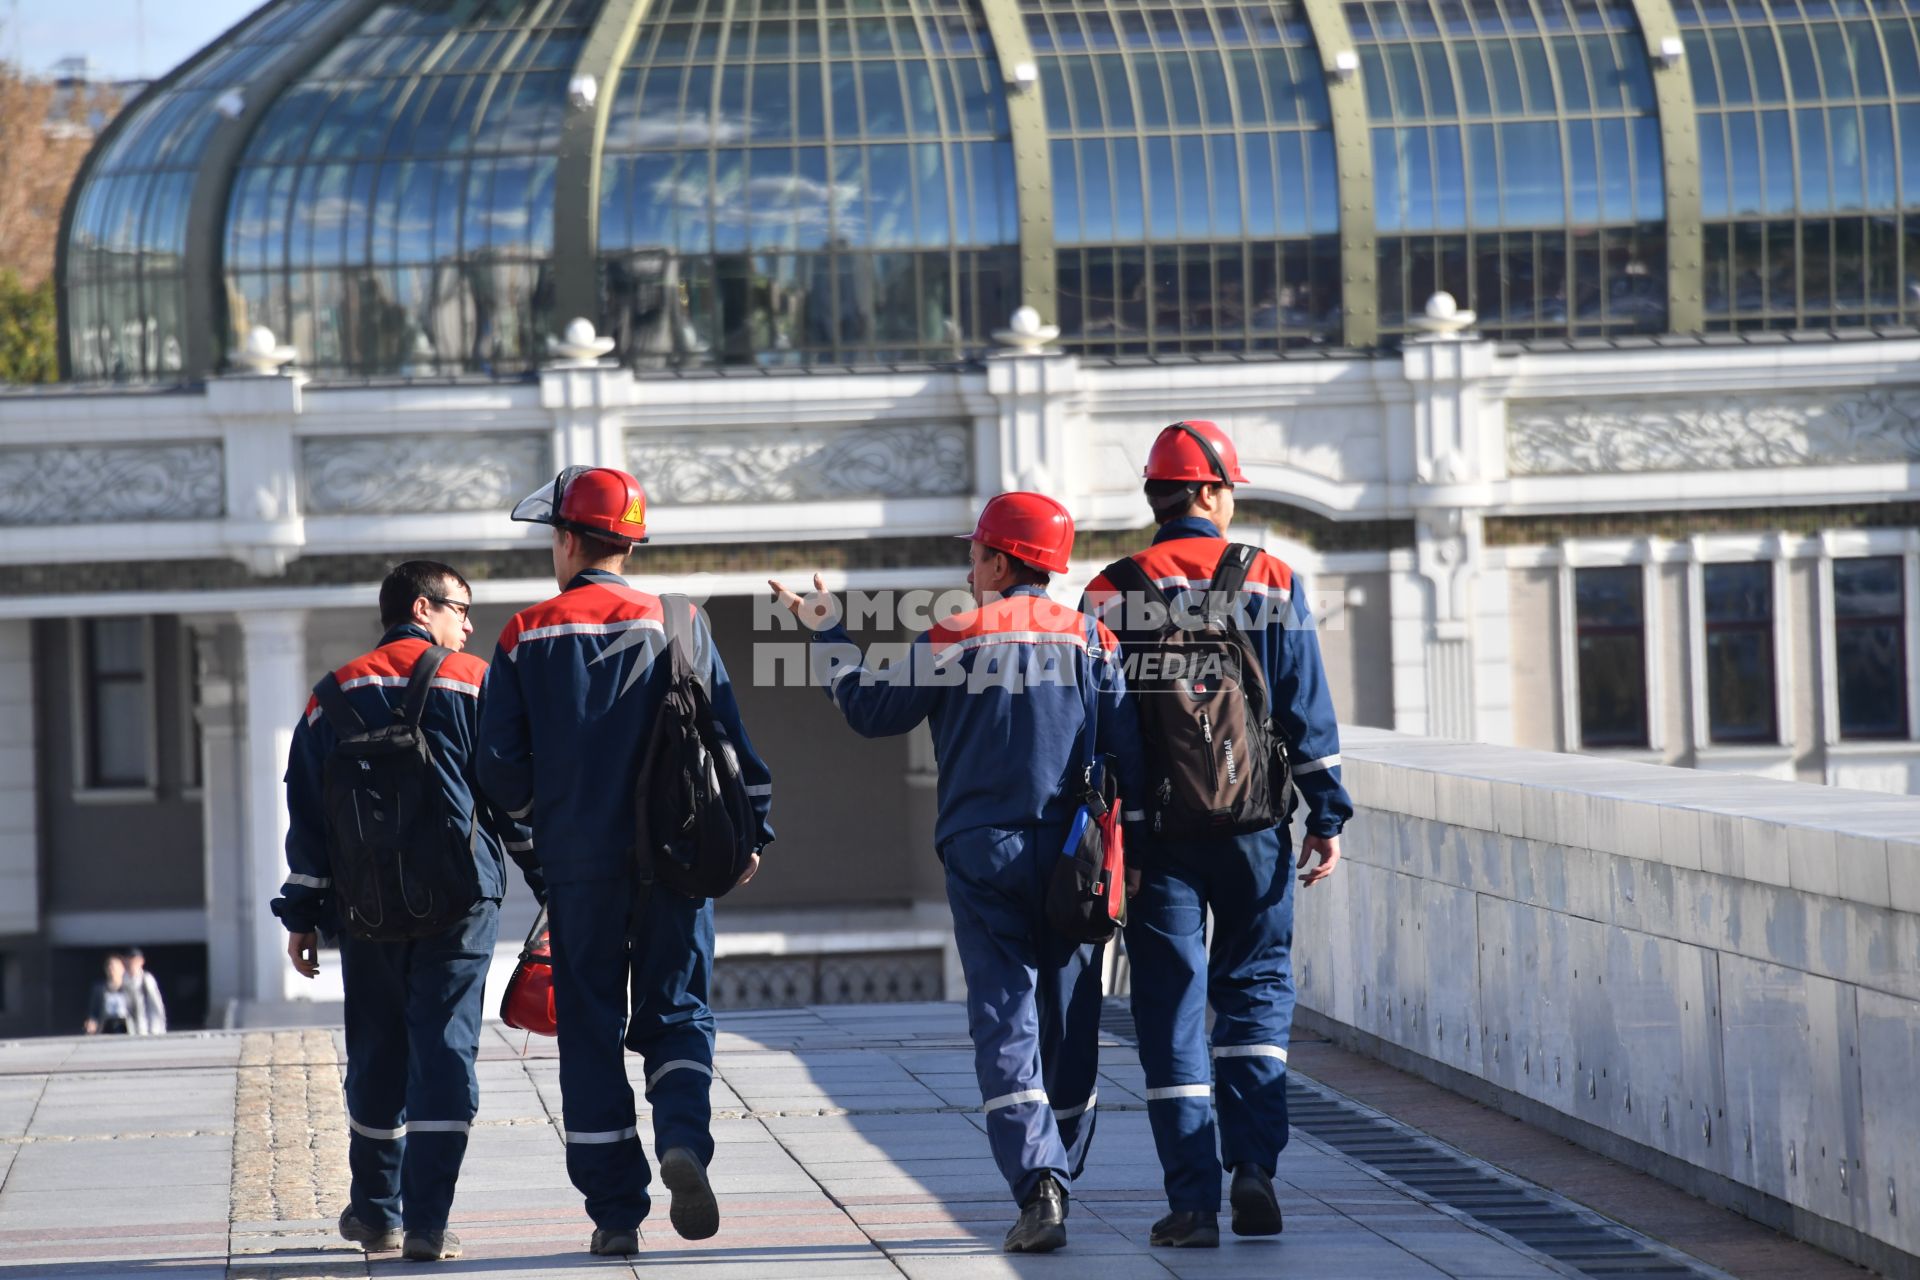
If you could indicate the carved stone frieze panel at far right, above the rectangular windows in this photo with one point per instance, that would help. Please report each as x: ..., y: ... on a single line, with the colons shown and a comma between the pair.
x: 1723, y: 433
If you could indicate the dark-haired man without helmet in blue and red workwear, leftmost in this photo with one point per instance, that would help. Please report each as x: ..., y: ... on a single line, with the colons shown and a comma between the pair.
x: 412, y: 1008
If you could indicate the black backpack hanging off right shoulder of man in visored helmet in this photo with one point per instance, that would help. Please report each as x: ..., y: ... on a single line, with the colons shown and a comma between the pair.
x: 698, y: 830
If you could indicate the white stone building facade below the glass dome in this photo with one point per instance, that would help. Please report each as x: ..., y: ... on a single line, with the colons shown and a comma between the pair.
x: 1441, y: 502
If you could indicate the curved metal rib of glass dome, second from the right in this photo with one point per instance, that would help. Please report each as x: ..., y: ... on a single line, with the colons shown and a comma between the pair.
x: 1353, y: 143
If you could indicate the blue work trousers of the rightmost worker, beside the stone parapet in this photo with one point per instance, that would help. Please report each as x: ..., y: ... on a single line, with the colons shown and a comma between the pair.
x: 1247, y: 882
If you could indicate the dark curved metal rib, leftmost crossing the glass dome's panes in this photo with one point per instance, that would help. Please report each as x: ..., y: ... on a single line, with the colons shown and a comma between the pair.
x: 206, y: 214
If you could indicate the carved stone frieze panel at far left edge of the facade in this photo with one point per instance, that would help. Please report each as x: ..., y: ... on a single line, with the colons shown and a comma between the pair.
x: 91, y: 485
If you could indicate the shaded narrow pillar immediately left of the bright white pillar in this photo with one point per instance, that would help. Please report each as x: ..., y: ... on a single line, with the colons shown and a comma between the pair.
x: 224, y: 809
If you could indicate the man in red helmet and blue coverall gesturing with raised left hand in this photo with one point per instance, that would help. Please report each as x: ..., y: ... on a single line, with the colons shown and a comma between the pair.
x: 1011, y: 692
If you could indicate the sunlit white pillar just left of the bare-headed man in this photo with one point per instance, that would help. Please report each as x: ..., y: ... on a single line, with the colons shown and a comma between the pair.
x: 276, y: 661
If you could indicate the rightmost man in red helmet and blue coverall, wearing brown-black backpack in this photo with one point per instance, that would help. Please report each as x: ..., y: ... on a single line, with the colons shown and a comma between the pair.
x: 1245, y: 882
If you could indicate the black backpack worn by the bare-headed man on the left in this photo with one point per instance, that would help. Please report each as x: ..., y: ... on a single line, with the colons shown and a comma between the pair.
x: 402, y: 868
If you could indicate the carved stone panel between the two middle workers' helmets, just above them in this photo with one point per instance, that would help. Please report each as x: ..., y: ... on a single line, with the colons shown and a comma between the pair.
x: 804, y: 463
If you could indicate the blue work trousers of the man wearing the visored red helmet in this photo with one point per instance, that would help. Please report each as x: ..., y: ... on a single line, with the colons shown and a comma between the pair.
x: 638, y: 987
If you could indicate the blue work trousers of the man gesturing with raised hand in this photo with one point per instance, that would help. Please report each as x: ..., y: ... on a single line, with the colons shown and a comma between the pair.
x: 1032, y: 1003
